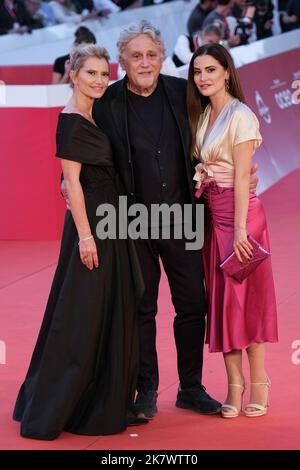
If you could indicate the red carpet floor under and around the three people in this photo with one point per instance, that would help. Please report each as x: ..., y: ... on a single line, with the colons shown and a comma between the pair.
x: 26, y: 271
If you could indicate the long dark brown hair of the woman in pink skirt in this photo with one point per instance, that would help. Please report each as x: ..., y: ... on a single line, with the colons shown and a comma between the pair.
x: 196, y: 103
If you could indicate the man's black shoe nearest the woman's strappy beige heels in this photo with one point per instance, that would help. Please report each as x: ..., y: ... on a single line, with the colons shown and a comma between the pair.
x: 198, y: 400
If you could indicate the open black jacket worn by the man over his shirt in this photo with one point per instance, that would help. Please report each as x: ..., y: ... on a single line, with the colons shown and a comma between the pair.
x: 110, y: 114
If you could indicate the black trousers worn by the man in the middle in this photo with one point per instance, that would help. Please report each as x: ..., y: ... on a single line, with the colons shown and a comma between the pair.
x: 184, y: 270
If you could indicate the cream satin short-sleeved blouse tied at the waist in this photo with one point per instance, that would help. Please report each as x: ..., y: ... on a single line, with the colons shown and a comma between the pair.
x: 236, y: 123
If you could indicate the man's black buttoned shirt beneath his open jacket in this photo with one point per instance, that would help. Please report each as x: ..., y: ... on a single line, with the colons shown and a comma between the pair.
x: 158, y: 158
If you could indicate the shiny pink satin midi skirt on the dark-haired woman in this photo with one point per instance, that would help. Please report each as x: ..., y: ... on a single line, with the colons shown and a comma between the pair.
x: 238, y: 314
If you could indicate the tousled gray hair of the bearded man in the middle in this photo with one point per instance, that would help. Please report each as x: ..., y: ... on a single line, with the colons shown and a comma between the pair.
x: 144, y: 27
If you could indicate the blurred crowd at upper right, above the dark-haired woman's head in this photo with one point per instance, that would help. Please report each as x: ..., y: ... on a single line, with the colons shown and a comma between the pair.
x: 233, y: 23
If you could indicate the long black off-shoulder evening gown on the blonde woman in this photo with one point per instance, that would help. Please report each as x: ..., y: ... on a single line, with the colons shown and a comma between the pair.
x: 83, y: 370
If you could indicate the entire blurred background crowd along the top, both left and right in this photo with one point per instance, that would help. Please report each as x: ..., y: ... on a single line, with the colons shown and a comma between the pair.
x: 228, y: 22
